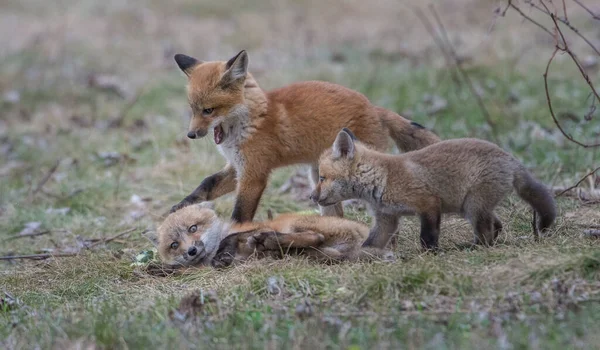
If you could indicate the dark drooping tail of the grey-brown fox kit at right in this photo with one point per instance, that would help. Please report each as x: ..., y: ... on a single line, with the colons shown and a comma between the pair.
x: 538, y: 196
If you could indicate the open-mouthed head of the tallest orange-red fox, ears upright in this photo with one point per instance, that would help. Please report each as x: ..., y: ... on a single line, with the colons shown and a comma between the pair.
x: 215, y: 93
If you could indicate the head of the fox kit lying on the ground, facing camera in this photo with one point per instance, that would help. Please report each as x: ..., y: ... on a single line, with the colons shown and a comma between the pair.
x: 189, y: 236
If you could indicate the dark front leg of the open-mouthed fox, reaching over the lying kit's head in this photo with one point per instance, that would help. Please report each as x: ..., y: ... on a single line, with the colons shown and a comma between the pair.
x: 210, y: 188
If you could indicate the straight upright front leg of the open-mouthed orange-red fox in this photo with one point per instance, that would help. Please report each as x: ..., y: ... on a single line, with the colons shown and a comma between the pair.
x: 250, y: 189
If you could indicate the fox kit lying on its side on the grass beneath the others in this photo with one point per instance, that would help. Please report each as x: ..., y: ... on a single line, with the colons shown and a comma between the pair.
x: 196, y: 236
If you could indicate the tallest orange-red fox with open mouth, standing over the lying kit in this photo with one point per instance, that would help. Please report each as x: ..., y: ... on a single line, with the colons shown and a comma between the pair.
x: 259, y: 131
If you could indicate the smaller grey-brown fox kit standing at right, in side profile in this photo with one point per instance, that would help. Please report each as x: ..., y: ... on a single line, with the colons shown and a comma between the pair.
x: 466, y: 176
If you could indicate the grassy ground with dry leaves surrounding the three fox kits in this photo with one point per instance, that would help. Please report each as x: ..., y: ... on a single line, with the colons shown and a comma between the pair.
x: 74, y: 68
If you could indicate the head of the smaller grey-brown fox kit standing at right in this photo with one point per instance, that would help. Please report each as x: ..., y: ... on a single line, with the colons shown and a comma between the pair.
x: 337, y: 166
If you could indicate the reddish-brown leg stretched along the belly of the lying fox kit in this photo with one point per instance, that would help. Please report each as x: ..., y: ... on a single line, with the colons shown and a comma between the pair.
x: 271, y: 240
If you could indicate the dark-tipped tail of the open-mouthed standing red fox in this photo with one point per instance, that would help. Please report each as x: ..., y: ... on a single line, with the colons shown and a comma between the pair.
x: 409, y: 136
